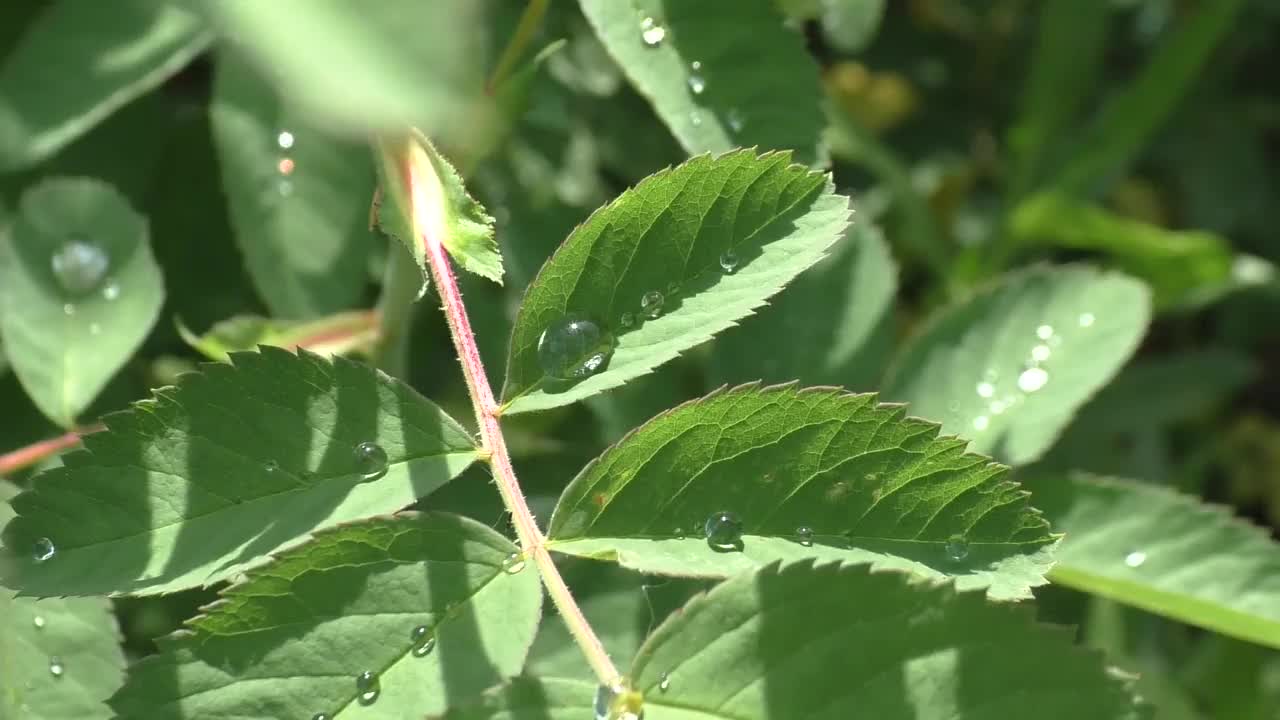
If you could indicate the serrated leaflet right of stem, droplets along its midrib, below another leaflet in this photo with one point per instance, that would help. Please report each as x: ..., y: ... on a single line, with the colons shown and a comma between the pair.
x: 872, y: 485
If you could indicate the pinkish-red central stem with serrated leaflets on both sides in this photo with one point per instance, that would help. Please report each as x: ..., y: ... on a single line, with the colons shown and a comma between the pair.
x: 487, y: 412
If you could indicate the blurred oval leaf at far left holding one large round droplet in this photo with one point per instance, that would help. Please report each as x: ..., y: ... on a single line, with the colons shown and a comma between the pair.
x: 68, y: 332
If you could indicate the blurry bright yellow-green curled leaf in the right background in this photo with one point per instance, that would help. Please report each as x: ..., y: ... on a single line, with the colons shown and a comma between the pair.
x: 1174, y: 263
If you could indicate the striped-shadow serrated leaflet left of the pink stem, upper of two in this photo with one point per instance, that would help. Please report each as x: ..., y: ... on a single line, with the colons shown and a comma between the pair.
x: 237, y: 462
